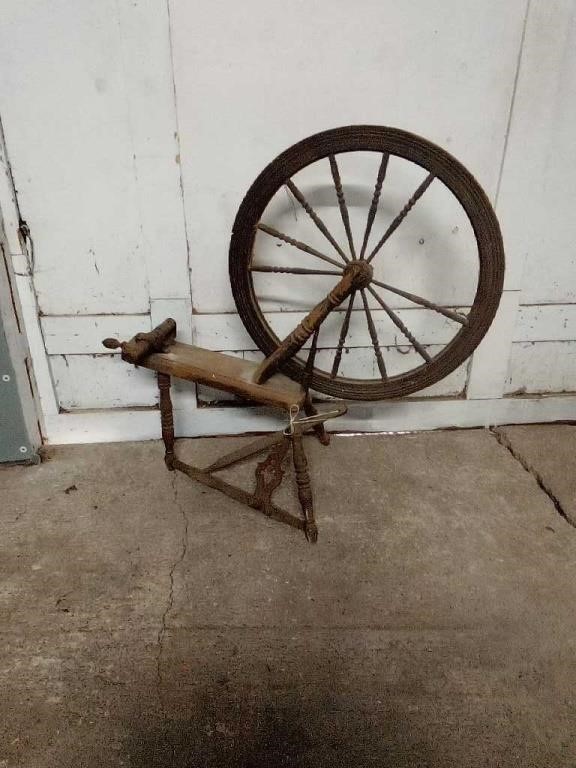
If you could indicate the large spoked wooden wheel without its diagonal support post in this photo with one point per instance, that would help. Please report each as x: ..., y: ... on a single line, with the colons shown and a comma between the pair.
x: 327, y: 150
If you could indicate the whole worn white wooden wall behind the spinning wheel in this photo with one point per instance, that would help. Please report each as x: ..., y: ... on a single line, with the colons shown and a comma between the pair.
x: 133, y: 129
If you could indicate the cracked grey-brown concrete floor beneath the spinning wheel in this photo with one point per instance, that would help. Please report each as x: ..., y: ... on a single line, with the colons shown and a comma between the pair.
x: 148, y: 621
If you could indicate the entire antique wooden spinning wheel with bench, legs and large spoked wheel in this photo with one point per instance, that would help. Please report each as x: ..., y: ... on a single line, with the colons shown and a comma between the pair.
x: 356, y: 281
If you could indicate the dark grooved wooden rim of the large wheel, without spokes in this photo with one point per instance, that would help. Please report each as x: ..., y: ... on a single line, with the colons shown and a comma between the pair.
x: 438, y: 163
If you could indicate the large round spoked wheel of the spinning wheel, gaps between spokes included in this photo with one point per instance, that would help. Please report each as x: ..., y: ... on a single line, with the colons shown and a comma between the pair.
x: 316, y: 176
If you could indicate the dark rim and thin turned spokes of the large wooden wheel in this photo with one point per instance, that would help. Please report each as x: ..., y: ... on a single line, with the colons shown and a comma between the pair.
x: 388, y: 142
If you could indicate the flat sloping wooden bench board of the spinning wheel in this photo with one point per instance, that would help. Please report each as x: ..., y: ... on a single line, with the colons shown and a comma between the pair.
x: 231, y: 374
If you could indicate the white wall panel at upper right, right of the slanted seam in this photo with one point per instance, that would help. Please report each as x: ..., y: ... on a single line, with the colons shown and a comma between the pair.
x: 536, y: 201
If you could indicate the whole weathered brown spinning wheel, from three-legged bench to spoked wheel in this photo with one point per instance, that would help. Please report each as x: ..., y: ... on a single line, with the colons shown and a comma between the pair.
x: 286, y: 377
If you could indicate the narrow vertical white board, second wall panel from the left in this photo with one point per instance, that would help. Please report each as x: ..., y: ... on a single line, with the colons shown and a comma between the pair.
x: 152, y: 124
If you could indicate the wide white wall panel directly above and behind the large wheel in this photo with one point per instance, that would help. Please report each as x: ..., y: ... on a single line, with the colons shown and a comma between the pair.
x: 253, y: 78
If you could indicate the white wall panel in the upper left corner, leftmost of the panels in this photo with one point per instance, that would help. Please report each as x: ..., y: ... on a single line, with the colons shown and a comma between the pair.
x: 63, y: 93
